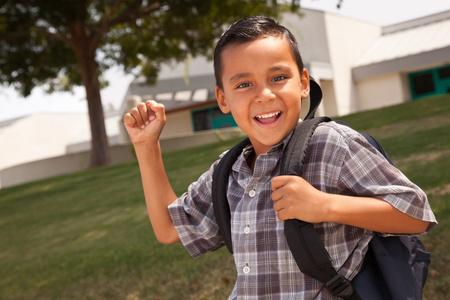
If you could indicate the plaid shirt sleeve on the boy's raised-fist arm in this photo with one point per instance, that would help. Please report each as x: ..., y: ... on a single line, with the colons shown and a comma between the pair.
x: 193, y: 217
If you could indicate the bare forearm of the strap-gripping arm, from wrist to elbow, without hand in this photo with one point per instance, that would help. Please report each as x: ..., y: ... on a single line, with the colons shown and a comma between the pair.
x: 373, y: 214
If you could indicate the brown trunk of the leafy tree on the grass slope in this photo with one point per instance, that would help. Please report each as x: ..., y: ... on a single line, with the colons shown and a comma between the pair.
x: 100, y: 152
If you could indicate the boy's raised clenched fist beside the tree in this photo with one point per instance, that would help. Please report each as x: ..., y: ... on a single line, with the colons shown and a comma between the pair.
x: 145, y: 122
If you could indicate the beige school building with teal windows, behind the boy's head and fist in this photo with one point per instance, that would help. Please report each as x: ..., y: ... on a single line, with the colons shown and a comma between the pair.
x: 360, y: 66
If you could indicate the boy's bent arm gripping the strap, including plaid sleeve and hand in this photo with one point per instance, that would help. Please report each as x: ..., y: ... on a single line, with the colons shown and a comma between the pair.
x: 341, y: 163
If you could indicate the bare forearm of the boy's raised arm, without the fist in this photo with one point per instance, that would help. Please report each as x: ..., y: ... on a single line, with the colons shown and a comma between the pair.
x: 158, y: 192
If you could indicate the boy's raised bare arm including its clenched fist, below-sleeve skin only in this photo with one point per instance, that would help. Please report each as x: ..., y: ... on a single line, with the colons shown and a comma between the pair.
x: 144, y: 124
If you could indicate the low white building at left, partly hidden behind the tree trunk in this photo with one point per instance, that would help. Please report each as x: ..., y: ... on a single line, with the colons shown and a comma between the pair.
x: 45, y: 145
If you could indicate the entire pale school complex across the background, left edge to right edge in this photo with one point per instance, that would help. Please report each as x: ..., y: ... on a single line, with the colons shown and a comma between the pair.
x: 359, y: 65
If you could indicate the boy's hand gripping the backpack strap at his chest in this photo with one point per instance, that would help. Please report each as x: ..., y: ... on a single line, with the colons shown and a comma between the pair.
x: 295, y: 198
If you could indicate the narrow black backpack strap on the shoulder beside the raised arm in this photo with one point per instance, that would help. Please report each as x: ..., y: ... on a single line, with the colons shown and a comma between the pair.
x: 219, y: 191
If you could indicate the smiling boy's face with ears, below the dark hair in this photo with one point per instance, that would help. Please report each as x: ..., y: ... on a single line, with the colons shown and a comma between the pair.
x: 262, y: 88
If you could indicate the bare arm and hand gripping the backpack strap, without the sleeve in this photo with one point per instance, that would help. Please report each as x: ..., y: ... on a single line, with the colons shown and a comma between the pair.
x: 315, y: 206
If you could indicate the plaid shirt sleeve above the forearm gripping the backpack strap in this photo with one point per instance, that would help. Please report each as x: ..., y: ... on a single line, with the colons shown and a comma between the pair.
x: 357, y: 168
